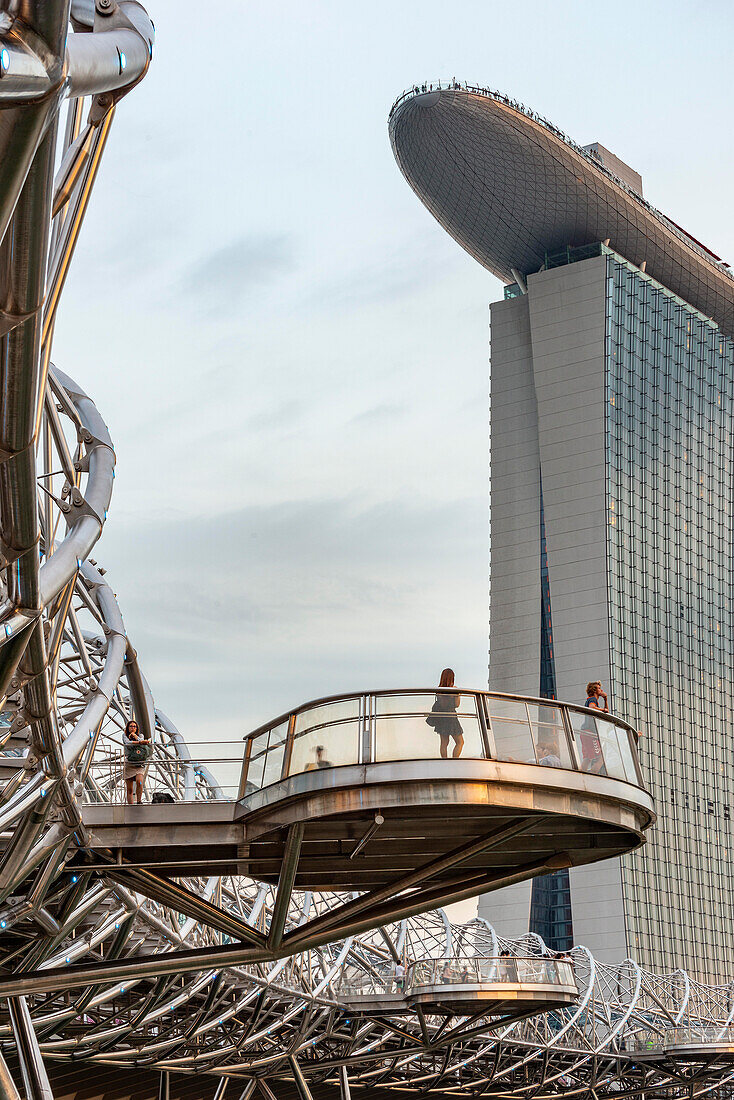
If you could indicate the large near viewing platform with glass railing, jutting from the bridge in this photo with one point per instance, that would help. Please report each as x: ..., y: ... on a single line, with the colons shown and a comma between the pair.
x: 384, y: 794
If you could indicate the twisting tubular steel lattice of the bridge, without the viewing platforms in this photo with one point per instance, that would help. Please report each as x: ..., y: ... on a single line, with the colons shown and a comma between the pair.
x: 70, y: 679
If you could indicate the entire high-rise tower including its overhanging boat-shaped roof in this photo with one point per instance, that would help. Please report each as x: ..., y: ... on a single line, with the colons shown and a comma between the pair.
x: 612, y: 498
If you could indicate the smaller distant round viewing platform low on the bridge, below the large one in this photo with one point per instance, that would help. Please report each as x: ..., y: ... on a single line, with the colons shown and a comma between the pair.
x: 506, y: 987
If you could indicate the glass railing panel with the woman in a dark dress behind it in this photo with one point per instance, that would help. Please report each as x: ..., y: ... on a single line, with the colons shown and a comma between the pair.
x: 429, y: 738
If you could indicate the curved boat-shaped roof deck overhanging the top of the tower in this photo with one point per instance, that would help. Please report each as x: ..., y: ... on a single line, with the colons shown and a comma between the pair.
x: 511, y: 189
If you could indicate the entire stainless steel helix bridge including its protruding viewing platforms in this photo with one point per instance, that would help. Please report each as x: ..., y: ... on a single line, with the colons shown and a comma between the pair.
x: 280, y: 929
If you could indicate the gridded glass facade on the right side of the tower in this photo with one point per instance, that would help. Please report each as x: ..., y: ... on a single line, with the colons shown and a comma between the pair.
x: 671, y: 576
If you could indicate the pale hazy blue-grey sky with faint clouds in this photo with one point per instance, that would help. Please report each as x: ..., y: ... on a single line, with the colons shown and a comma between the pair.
x: 292, y: 356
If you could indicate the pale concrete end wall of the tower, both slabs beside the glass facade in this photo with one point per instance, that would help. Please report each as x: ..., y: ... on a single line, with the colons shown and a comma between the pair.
x: 549, y: 422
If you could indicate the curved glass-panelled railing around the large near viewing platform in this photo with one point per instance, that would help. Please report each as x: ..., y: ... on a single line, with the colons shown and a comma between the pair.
x: 422, y: 724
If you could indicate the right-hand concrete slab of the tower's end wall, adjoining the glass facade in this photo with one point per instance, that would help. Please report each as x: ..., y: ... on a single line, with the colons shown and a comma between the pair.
x: 567, y: 311
